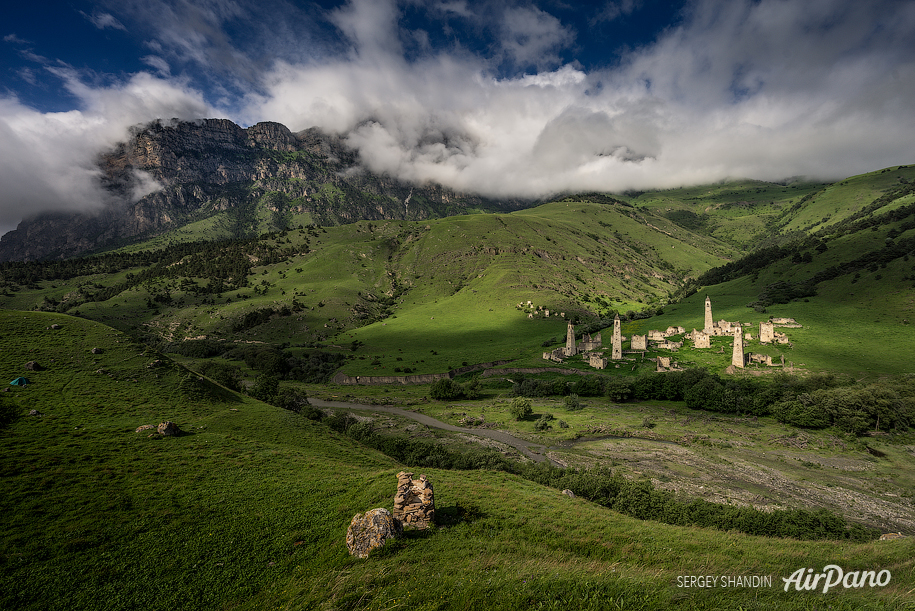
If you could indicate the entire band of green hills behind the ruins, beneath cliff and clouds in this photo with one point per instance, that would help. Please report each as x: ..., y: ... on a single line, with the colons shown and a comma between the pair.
x: 396, y: 297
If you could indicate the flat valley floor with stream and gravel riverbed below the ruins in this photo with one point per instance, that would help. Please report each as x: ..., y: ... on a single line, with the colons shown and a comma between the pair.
x: 742, y: 461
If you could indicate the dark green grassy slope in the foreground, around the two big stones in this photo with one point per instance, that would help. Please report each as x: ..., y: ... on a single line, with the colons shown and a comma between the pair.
x: 248, y: 510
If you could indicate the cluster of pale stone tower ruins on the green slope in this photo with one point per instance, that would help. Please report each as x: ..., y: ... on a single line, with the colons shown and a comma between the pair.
x: 590, y: 347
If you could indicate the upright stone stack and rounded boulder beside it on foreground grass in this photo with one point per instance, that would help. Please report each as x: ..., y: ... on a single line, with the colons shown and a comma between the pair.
x: 414, y: 505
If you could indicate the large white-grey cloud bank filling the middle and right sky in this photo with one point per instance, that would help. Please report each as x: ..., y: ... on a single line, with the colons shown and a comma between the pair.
x: 742, y: 89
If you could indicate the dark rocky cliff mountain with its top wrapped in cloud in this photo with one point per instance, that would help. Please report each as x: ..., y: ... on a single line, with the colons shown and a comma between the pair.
x: 168, y: 174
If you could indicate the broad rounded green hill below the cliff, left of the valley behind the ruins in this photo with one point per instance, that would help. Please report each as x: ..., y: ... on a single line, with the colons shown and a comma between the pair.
x: 450, y: 285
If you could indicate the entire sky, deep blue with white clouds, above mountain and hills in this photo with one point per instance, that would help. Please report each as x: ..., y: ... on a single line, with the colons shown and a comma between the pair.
x: 502, y: 98
